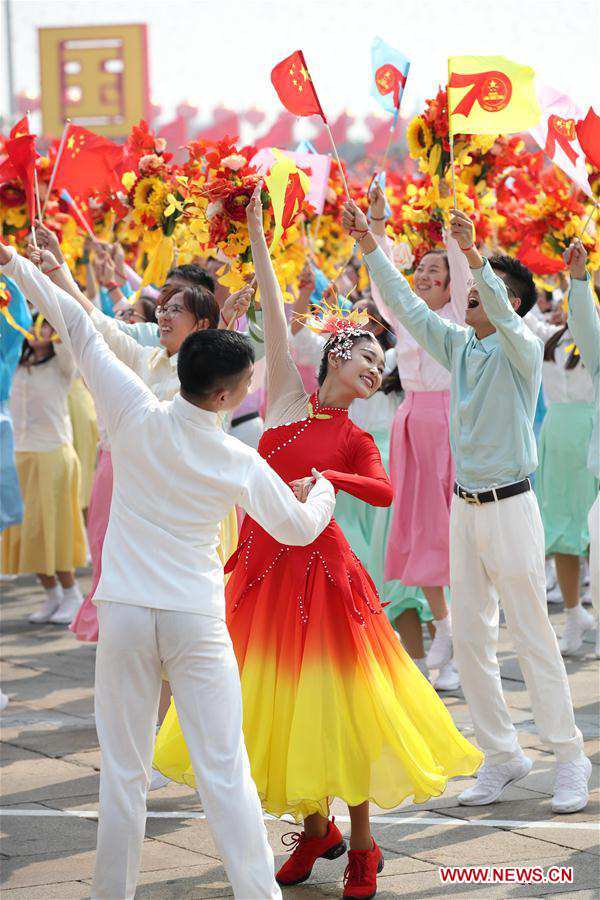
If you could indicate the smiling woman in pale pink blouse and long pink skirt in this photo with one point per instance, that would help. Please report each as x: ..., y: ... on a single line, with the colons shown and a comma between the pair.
x: 421, y: 467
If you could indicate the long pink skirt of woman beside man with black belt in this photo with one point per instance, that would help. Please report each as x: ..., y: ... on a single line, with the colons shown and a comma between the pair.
x: 422, y: 474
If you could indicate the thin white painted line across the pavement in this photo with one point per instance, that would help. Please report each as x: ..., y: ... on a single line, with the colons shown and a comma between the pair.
x: 377, y: 820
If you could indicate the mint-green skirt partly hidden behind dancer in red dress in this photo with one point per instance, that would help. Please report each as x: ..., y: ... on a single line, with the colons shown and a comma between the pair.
x: 367, y: 530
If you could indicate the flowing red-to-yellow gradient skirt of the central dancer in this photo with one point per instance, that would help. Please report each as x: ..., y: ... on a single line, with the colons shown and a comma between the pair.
x: 333, y: 705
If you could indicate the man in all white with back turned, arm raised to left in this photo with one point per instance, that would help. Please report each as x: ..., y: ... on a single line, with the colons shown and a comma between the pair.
x: 160, y: 599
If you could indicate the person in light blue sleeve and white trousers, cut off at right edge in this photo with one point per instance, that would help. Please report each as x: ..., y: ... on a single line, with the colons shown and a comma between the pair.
x: 584, y: 324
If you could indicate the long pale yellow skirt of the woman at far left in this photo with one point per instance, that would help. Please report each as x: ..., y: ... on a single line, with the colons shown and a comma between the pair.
x: 51, y: 537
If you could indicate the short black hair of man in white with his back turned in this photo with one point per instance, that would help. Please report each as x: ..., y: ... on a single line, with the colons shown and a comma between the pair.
x: 212, y: 360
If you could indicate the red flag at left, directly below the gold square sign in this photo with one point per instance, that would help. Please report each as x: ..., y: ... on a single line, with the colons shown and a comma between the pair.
x: 87, y: 165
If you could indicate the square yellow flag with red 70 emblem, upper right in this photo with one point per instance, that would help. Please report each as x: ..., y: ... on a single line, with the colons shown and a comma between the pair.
x: 490, y: 95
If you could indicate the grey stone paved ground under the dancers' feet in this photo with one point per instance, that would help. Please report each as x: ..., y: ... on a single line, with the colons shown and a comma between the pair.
x: 50, y: 762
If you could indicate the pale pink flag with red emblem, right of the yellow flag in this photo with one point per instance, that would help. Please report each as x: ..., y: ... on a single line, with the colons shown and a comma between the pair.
x: 557, y: 136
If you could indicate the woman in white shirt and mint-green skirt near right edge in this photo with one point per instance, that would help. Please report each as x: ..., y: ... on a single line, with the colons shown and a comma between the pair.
x: 565, y: 487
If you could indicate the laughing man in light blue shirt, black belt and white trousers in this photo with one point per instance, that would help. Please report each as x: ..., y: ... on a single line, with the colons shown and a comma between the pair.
x: 496, y: 532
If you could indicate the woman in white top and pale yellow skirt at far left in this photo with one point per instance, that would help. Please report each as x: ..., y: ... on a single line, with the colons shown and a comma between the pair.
x: 51, y: 539
